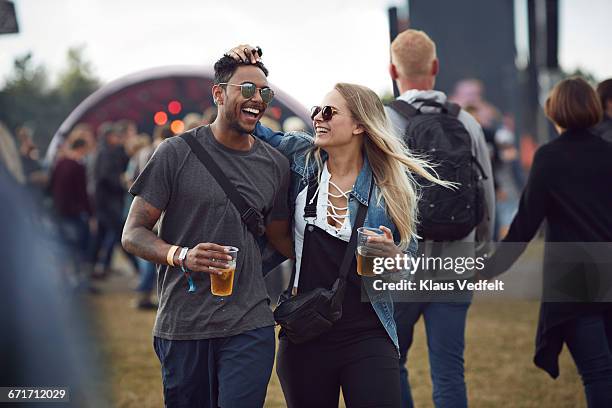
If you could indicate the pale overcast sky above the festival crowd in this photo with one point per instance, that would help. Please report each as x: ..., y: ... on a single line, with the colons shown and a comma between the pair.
x: 308, y: 45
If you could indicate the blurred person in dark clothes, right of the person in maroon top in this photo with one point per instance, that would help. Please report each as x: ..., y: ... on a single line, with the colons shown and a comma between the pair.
x: 110, y: 164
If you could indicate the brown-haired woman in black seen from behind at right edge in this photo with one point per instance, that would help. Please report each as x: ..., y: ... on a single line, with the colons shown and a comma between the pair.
x: 569, y: 188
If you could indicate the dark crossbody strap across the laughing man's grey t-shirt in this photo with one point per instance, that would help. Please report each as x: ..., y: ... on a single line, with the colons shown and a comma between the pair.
x: 249, y: 215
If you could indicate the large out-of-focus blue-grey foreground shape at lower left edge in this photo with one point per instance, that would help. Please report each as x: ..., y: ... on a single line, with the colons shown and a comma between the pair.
x: 45, y: 340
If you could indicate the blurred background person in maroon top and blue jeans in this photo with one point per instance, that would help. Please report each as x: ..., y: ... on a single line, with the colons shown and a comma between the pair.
x: 68, y: 186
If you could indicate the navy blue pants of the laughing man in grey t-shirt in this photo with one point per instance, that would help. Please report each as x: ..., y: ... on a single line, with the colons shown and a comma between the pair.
x: 227, y: 372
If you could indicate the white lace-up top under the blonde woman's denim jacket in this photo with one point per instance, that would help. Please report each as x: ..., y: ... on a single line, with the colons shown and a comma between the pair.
x: 325, y: 209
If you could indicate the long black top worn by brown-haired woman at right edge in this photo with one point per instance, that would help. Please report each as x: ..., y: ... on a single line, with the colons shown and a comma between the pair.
x: 570, y: 186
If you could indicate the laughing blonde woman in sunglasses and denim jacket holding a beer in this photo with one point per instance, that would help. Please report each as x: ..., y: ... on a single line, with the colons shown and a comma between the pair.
x: 353, y: 149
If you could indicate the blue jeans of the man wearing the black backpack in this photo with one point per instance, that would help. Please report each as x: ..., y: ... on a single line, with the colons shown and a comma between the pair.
x: 445, y: 329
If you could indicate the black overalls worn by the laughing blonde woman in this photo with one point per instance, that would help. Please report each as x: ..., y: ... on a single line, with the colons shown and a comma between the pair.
x: 356, y: 354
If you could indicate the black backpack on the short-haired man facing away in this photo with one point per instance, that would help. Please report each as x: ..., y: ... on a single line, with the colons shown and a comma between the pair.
x: 445, y: 214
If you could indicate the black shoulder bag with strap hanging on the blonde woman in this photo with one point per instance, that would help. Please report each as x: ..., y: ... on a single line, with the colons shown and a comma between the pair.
x: 306, y: 316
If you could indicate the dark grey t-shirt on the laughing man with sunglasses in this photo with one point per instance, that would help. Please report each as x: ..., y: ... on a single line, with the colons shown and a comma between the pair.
x: 195, y: 210
